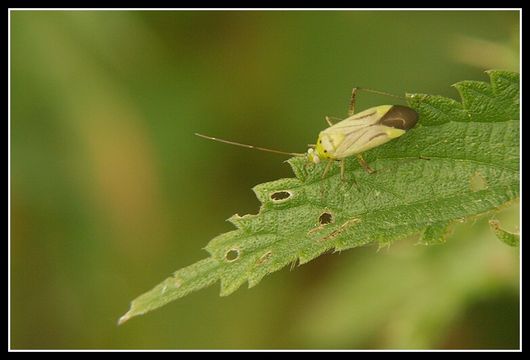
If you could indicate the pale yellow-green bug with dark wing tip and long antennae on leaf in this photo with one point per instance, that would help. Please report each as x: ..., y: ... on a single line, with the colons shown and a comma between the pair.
x: 353, y: 135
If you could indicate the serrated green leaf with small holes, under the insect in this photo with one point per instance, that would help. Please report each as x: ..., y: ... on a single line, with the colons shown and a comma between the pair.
x: 472, y: 149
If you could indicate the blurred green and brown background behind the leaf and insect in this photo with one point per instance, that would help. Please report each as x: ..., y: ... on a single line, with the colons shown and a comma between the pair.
x: 111, y: 191
